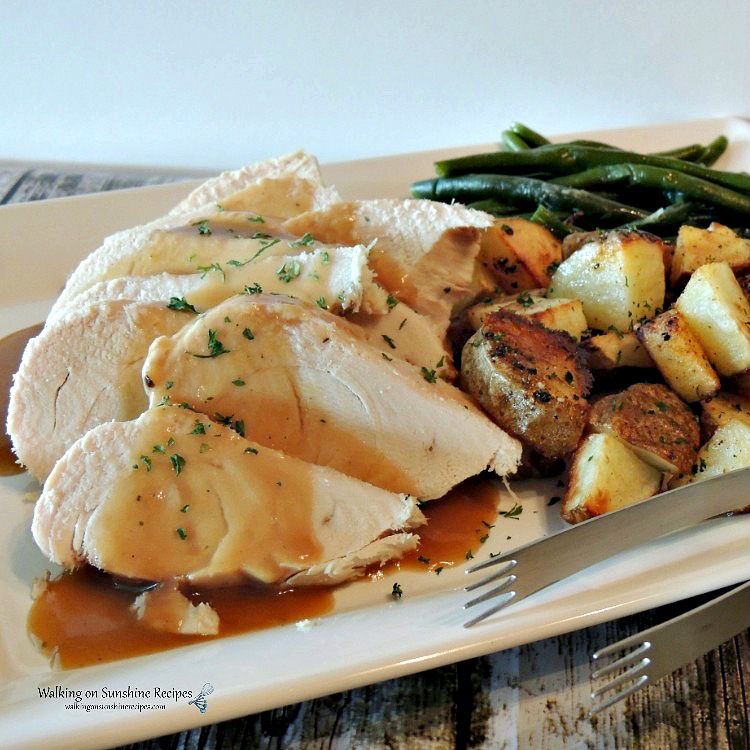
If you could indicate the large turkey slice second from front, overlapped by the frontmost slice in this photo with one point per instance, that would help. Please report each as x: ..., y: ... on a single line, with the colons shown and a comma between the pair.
x: 303, y: 381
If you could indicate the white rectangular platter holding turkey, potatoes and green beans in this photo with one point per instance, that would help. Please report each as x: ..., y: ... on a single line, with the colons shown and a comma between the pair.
x: 370, y: 636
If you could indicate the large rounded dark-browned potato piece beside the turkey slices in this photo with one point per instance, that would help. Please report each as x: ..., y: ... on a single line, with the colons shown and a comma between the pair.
x: 530, y: 380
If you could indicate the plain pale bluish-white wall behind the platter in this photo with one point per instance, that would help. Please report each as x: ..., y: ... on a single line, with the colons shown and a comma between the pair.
x: 216, y: 84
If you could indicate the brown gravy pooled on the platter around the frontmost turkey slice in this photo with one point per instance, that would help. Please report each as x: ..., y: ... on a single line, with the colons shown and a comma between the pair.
x: 82, y: 619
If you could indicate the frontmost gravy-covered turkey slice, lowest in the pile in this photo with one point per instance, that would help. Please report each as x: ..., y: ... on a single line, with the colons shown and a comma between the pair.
x: 173, y: 495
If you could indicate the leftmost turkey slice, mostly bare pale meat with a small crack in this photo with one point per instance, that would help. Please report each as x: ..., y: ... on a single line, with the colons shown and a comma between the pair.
x: 81, y: 370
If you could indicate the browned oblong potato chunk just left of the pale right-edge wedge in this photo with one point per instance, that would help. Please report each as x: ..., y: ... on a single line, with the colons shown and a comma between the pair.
x: 679, y: 356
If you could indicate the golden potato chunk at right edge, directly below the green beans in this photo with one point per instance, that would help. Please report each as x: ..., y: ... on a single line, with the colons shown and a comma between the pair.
x: 695, y: 247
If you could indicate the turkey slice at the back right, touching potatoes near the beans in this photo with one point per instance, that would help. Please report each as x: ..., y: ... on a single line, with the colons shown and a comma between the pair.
x: 425, y: 252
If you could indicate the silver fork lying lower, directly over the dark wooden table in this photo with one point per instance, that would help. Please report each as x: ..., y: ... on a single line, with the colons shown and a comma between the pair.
x: 662, y: 649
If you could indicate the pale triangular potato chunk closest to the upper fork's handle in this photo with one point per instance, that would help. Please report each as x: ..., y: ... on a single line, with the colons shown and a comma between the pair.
x: 606, y: 475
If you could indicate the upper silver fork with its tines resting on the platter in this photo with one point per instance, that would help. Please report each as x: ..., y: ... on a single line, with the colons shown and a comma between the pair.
x: 535, y: 566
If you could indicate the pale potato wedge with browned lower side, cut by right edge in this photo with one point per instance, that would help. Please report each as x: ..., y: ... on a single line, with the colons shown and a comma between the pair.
x: 717, y: 311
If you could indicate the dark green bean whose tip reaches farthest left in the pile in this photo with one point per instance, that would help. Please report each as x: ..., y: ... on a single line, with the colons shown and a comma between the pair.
x: 527, y: 192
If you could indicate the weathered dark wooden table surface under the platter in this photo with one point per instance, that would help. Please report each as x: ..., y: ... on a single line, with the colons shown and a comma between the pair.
x: 533, y: 696
